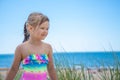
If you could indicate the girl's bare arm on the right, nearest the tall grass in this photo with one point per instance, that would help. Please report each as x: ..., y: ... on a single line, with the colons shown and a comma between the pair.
x: 51, y: 69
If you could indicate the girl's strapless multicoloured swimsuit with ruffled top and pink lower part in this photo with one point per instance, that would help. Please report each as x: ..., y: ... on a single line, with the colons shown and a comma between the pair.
x: 35, y: 67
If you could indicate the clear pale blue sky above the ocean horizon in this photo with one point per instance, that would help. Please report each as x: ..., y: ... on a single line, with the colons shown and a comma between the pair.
x: 75, y: 25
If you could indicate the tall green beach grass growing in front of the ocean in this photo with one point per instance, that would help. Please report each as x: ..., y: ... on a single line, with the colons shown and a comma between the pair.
x: 65, y: 70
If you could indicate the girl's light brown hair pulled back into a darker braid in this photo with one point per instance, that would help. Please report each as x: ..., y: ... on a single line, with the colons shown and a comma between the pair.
x: 34, y: 19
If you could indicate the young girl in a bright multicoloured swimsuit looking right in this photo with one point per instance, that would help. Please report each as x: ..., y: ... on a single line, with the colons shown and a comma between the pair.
x: 35, y: 55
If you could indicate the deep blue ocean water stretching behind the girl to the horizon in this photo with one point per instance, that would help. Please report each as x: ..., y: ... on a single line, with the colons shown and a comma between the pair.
x: 73, y: 59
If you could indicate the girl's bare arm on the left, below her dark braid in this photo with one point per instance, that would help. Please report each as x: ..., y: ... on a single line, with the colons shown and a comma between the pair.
x: 15, y: 66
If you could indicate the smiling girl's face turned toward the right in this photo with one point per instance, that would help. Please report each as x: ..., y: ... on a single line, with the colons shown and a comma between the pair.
x: 41, y: 31
